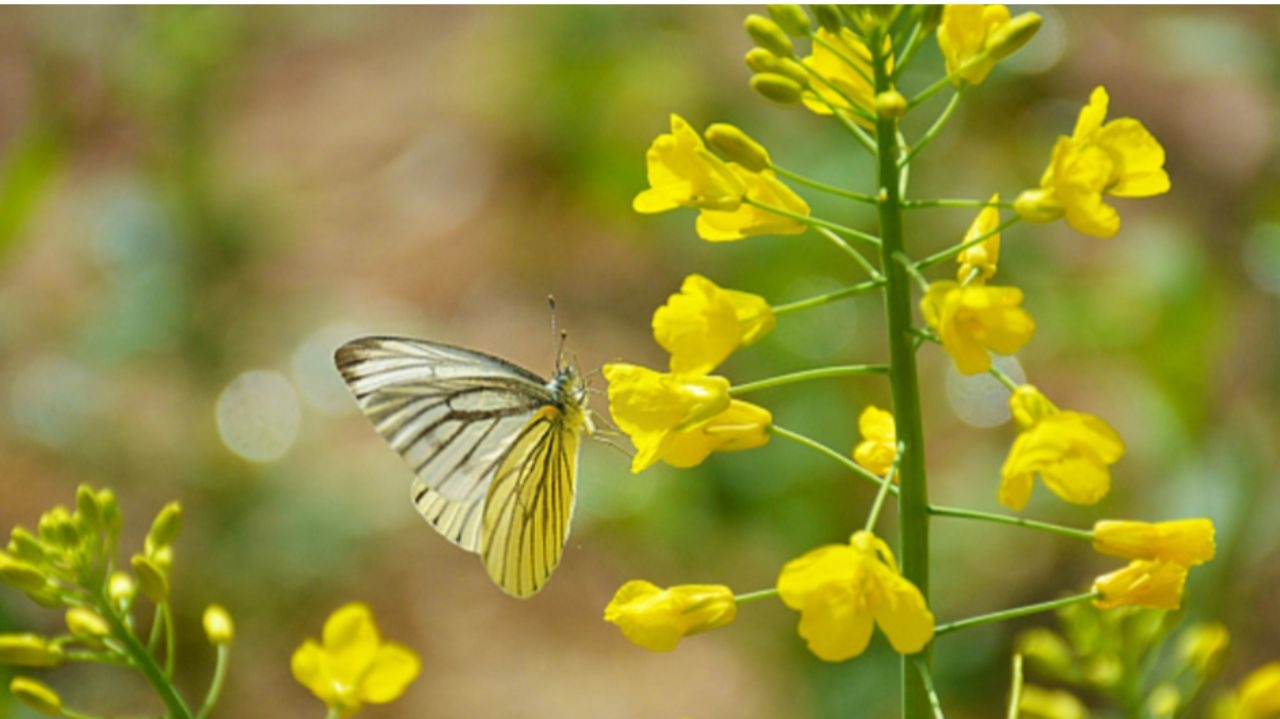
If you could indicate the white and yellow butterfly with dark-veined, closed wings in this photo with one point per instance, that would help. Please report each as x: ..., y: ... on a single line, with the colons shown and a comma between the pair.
x: 493, y: 447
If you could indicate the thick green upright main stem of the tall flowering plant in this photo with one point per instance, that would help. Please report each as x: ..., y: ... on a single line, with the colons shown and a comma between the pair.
x: 915, y: 496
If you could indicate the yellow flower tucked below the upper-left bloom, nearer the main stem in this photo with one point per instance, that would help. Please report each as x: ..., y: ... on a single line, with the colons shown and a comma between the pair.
x: 748, y: 221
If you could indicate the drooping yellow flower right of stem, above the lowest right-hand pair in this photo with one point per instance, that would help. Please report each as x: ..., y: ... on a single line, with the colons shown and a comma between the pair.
x: 1071, y: 451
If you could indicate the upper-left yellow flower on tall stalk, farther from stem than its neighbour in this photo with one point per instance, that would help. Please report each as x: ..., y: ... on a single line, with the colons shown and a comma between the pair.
x: 683, y: 173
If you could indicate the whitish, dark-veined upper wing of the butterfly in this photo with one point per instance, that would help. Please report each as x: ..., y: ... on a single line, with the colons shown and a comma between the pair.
x: 452, y: 414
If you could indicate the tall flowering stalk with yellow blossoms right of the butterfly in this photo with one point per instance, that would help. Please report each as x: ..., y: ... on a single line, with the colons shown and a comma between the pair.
x: 852, y: 76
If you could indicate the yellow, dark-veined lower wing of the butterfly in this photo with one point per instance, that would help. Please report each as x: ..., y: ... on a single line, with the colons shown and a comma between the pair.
x: 531, y: 502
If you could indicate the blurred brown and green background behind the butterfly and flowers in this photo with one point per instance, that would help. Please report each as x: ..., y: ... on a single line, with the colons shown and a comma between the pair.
x: 198, y: 205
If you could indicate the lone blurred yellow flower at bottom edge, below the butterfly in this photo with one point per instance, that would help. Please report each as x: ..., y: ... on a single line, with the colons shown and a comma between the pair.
x: 354, y: 666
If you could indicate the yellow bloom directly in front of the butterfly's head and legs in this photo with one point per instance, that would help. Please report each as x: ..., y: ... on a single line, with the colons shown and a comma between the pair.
x: 682, y: 418
